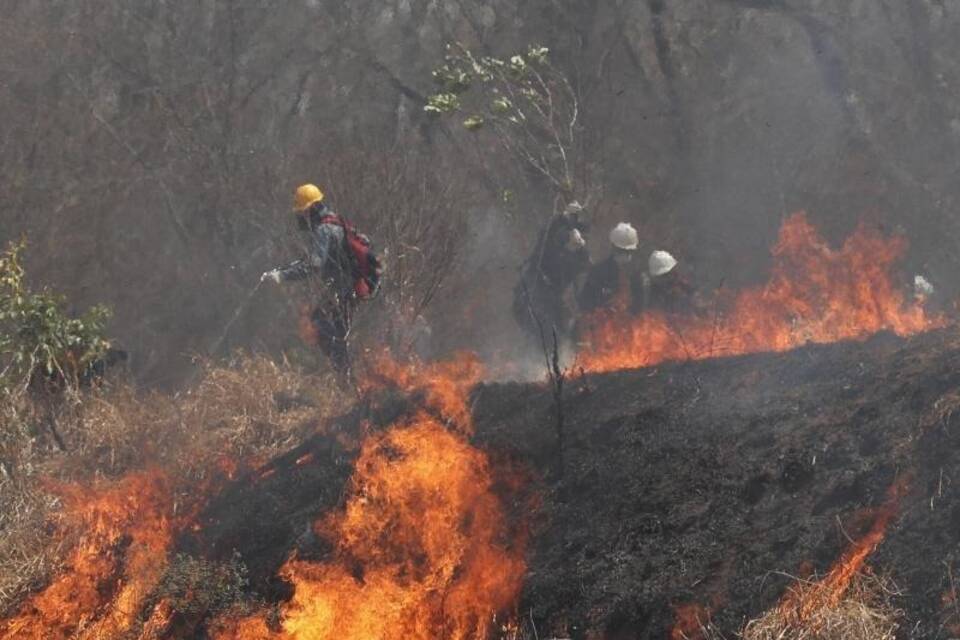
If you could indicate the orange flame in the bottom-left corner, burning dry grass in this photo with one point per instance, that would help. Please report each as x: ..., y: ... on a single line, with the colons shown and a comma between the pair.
x: 128, y: 529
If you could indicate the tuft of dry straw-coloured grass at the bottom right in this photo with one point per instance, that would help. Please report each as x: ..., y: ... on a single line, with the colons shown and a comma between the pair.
x: 865, y: 611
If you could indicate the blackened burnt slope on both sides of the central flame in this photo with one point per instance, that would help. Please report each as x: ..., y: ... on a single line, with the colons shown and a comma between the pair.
x: 701, y: 482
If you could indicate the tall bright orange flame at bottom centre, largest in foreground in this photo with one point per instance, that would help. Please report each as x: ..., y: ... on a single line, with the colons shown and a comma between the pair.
x: 421, y: 549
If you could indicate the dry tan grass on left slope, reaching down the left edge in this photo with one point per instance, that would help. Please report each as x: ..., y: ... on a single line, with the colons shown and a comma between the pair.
x: 247, y: 411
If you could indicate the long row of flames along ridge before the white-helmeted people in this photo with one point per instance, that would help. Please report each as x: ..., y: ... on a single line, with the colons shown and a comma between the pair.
x: 814, y: 294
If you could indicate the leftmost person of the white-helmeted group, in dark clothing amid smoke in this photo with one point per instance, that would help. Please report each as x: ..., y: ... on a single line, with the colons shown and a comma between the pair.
x: 558, y: 259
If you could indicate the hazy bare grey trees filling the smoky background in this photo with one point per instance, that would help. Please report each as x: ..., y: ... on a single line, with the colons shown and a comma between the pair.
x: 149, y: 148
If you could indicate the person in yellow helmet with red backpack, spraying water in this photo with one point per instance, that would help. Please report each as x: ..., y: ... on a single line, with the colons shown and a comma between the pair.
x: 343, y: 264
